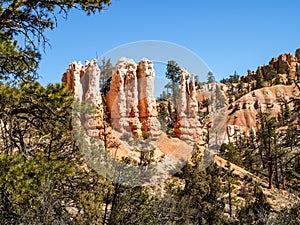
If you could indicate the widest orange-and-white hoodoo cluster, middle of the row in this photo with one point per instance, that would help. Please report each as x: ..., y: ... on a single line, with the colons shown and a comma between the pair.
x: 131, y: 101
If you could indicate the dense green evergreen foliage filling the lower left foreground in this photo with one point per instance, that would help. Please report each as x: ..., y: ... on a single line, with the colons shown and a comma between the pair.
x: 43, y: 176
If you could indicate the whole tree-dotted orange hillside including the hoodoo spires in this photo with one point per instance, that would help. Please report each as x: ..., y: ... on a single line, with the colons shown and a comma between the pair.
x: 238, y: 138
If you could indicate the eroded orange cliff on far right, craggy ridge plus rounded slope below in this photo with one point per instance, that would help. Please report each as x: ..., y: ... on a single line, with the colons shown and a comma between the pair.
x: 277, y: 79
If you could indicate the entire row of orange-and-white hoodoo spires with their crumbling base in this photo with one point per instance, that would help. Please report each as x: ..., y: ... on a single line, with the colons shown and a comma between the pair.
x: 131, y: 108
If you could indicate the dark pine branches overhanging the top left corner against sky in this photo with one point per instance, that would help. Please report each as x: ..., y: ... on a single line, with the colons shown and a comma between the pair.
x: 22, y: 32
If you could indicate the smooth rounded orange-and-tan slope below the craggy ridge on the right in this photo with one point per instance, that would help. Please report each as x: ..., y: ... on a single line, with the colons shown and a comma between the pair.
x: 242, y: 113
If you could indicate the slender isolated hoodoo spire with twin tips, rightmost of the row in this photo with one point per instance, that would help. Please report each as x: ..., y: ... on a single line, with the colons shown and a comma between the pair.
x: 187, y: 126
